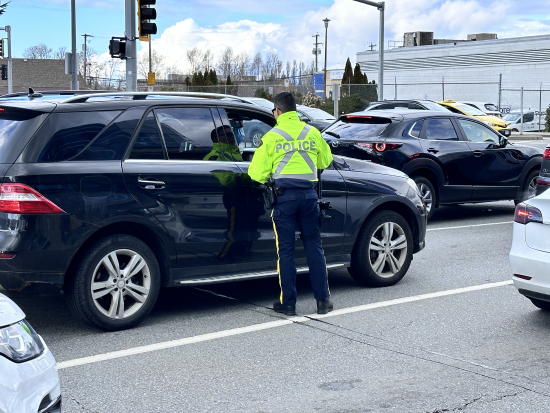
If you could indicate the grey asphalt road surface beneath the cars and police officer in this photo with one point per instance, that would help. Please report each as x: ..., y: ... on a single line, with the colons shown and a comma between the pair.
x: 453, y: 335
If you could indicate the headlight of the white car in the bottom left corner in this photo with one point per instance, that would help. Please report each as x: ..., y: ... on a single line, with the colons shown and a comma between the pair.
x: 19, y: 342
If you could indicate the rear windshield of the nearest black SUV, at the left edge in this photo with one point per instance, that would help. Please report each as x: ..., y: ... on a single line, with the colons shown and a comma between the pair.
x: 17, y: 126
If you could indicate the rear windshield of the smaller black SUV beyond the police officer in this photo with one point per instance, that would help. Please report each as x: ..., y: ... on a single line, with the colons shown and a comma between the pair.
x: 353, y: 127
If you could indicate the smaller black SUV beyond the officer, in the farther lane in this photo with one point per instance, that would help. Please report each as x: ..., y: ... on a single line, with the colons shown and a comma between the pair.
x: 452, y: 158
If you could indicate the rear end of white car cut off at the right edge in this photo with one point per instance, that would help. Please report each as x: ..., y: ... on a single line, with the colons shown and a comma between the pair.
x: 530, y: 253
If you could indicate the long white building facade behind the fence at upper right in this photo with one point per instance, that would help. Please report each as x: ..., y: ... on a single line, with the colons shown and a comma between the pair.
x: 489, y: 70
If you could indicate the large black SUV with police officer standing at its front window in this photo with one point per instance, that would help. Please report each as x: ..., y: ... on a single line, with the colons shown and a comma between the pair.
x: 112, y: 196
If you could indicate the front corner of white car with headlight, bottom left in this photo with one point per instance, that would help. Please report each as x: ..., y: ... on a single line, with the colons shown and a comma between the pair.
x: 28, y: 376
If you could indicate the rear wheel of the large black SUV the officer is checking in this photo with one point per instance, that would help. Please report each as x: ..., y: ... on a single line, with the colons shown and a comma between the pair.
x: 116, y: 283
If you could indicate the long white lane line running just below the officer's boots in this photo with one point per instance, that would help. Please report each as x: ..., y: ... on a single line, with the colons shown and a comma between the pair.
x: 265, y: 326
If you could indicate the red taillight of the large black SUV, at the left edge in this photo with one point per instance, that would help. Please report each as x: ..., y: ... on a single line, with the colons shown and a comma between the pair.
x: 22, y: 199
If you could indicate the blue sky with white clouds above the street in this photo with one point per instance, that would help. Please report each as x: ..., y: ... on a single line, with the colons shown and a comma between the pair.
x: 284, y: 26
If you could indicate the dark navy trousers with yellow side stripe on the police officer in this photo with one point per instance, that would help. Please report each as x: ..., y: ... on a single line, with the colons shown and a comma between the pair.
x: 299, y: 209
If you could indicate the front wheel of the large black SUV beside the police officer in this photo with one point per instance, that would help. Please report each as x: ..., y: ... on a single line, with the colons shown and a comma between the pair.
x: 383, y: 251
